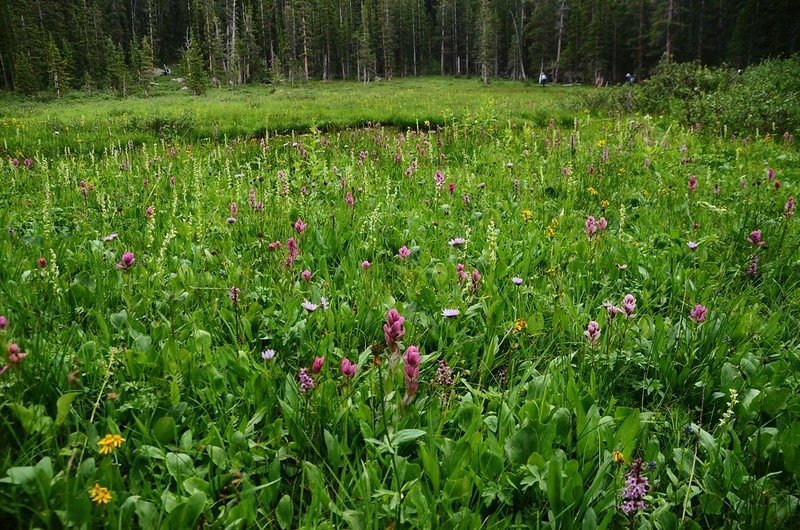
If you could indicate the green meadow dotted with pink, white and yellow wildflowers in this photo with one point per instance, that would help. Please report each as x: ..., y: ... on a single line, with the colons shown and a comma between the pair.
x: 417, y: 304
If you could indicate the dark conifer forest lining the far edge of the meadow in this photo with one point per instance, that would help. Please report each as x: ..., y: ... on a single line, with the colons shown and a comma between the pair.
x: 54, y: 45
